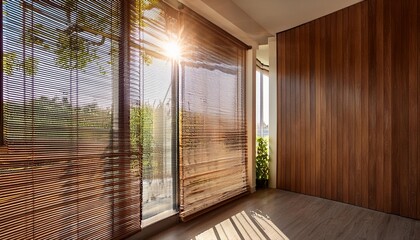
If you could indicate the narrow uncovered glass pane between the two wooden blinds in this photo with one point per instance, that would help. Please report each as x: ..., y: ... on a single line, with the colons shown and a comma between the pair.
x: 158, y: 106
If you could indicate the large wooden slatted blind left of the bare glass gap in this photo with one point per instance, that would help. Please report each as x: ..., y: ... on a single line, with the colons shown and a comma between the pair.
x: 72, y: 76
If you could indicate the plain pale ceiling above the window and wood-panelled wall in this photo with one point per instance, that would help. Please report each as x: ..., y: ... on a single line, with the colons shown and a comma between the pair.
x: 264, y: 18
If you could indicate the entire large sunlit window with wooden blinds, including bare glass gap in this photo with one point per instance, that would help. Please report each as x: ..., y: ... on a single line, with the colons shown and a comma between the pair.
x: 100, y: 116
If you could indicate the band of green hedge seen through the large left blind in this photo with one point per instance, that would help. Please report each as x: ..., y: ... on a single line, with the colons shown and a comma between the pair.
x: 59, y: 114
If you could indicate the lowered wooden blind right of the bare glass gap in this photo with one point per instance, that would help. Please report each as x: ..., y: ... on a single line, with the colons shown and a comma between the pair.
x: 212, y: 116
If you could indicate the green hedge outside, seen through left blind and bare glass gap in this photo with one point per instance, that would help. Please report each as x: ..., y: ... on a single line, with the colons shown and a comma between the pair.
x: 59, y: 114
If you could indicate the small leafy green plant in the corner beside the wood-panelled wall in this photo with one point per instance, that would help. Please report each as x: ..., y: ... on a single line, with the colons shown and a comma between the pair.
x: 262, y: 162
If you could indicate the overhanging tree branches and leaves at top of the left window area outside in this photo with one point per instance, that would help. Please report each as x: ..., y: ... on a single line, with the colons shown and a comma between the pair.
x: 77, y: 45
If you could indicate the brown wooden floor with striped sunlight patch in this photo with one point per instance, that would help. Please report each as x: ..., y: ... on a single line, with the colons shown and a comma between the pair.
x: 276, y: 214
